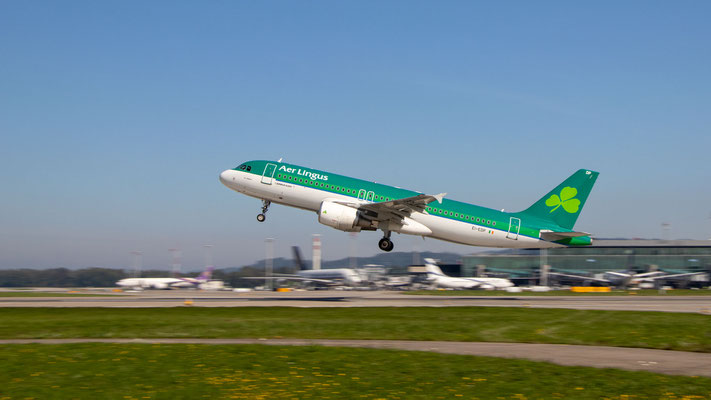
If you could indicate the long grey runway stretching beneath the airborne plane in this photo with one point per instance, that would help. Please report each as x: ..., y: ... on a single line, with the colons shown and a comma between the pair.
x: 178, y: 298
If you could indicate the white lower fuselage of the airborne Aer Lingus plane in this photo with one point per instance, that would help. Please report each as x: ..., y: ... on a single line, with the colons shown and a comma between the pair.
x: 311, y: 198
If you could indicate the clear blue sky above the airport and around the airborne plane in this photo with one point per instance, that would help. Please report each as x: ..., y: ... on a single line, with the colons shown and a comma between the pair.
x: 117, y: 117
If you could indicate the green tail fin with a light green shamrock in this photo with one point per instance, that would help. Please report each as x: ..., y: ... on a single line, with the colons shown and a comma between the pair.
x: 563, y: 204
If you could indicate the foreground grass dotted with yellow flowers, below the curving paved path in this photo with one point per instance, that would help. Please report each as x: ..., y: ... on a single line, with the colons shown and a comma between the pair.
x: 123, y: 371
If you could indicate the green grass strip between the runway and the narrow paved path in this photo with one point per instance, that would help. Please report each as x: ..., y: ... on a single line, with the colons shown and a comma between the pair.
x: 674, y: 331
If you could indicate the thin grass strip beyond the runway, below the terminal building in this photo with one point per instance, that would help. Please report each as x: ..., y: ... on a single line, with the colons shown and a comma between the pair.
x: 502, y: 293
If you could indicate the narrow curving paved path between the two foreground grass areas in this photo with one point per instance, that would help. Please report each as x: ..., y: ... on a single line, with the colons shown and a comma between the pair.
x: 659, y: 361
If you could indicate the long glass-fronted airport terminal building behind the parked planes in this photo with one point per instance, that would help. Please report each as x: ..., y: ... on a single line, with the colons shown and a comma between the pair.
x: 671, y: 256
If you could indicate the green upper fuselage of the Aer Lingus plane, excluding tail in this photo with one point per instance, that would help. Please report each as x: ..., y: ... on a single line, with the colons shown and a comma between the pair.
x: 486, y: 218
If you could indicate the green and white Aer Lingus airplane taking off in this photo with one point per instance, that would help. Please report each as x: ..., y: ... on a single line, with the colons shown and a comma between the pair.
x: 352, y: 205
